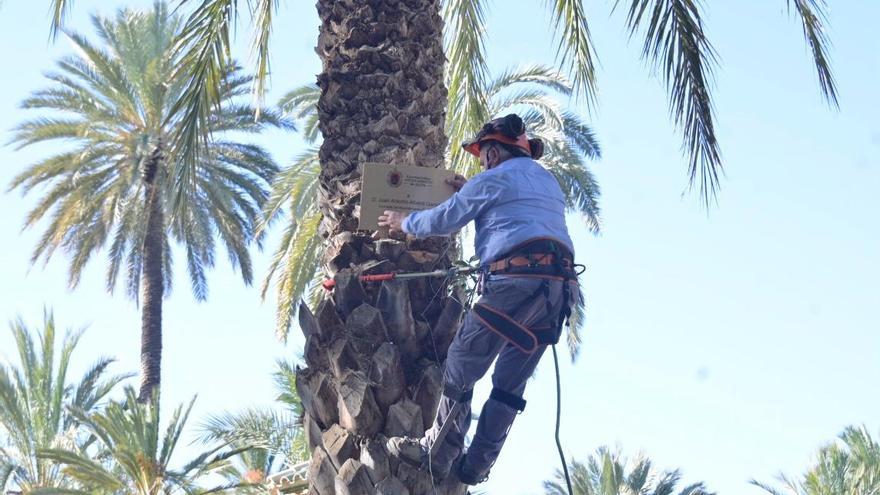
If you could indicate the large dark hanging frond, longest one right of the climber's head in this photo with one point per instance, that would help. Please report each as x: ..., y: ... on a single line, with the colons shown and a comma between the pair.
x: 677, y: 46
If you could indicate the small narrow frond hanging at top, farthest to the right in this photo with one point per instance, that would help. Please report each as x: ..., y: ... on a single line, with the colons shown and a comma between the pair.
x: 813, y: 17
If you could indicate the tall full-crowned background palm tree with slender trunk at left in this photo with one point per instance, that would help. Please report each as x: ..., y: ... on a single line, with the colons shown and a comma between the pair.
x: 120, y: 186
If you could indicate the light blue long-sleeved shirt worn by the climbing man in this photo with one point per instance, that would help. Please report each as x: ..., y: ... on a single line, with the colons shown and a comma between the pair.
x: 511, y: 203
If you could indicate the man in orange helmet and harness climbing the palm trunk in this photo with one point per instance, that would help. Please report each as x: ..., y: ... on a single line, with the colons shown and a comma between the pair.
x: 528, y: 288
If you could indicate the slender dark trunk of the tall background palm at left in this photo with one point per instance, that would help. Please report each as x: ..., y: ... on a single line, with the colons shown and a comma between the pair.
x: 152, y: 281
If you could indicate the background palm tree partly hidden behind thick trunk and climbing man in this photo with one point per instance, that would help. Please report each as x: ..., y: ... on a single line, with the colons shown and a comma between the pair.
x: 532, y: 90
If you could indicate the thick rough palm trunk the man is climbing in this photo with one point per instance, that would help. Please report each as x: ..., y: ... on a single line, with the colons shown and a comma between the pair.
x: 373, y: 353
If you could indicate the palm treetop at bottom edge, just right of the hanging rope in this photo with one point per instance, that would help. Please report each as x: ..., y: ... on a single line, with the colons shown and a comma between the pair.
x: 608, y: 473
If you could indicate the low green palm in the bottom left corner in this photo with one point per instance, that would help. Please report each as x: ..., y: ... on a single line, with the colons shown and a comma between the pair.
x: 34, y: 402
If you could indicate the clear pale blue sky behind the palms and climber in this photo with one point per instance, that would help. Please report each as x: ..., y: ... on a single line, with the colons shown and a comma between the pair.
x: 730, y: 344
